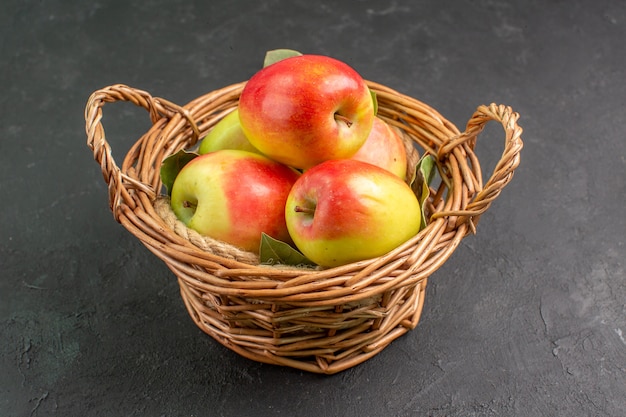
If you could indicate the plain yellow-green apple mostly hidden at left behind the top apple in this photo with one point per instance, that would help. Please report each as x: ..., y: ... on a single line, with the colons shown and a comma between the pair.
x: 226, y: 134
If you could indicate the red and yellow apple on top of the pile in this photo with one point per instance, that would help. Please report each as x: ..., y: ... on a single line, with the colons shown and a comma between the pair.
x: 306, y: 109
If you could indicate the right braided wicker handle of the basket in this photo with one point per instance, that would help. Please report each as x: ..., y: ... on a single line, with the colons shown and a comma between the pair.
x: 504, y: 169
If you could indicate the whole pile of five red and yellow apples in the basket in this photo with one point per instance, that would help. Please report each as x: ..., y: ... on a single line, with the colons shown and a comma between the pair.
x: 305, y: 160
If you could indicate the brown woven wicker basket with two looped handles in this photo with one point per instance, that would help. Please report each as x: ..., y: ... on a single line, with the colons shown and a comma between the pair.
x: 322, y: 321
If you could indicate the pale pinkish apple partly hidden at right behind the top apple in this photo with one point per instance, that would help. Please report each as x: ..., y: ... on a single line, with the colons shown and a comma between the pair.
x: 384, y: 148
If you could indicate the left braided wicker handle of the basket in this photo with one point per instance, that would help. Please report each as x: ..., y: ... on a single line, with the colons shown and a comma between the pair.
x: 118, y: 182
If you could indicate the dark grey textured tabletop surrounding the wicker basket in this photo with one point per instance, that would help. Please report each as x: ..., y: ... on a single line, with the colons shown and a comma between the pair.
x: 528, y: 317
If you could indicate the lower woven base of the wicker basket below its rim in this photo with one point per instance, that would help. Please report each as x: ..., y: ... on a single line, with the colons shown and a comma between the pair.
x: 318, y: 340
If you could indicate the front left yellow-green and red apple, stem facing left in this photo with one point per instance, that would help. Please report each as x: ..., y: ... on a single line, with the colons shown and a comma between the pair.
x: 234, y: 196
